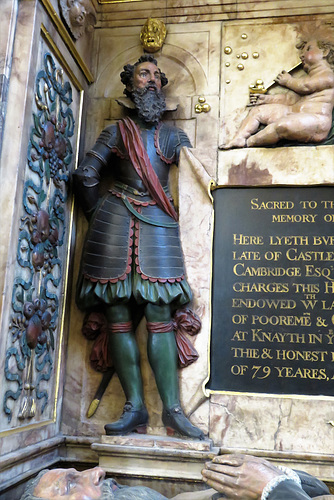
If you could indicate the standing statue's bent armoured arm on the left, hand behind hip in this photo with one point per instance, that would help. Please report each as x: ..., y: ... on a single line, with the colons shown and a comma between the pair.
x: 86, y: 178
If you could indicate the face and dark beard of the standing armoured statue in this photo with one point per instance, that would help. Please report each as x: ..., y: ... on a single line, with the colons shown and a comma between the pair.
x: 146, y: 92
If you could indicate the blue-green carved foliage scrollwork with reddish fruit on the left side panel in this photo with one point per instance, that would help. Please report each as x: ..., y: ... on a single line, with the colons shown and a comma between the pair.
x: 37, y: 288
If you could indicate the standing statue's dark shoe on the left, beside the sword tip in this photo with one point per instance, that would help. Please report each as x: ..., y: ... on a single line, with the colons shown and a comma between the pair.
x: 131, y: 421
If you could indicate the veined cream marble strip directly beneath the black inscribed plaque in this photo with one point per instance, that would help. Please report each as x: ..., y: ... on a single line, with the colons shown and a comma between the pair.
x: 294, y: 432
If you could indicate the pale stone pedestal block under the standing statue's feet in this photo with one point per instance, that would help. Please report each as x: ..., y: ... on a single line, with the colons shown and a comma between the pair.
x: 154, y: 456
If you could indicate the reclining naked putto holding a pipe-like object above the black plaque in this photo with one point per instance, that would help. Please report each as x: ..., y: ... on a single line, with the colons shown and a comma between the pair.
x: 304, y: 114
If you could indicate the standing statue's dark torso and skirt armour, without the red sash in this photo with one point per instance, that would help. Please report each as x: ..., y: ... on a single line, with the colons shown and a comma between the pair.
x: 108, y: 255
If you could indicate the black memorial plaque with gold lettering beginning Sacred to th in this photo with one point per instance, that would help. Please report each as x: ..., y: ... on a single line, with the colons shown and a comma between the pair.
x: 273, y: 291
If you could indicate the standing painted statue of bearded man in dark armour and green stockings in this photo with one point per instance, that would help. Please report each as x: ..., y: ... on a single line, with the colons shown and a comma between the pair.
x: 132, y: 258
